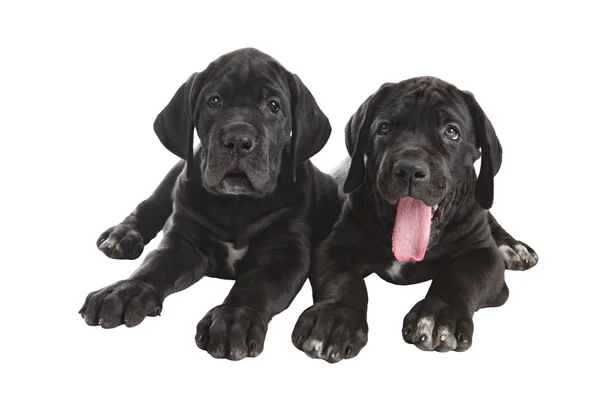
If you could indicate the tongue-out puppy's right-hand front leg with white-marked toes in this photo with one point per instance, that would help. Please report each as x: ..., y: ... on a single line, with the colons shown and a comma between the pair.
x: 443, y: 321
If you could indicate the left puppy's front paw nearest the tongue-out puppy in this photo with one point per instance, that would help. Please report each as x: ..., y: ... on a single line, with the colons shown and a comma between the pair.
x: 232, y: 332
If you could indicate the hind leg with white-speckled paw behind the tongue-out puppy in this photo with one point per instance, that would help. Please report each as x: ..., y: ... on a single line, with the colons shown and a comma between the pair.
x: 518, y: 256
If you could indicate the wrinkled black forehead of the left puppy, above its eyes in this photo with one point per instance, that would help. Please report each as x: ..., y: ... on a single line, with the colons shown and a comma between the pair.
x: 255, y: 78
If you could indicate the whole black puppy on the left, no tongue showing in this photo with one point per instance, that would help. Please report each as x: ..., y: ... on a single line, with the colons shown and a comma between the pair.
x: 244, y: 209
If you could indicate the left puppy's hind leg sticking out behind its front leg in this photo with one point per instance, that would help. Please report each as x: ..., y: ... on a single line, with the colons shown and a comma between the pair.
x: 127, y: 240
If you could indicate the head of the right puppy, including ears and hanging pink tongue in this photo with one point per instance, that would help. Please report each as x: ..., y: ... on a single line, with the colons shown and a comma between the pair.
x: 418, y: 140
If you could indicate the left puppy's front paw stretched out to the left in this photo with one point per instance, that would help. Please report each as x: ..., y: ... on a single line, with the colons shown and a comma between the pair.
x: 125, y: 302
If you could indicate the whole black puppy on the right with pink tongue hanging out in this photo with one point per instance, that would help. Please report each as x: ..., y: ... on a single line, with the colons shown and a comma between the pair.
x: 416, y: 211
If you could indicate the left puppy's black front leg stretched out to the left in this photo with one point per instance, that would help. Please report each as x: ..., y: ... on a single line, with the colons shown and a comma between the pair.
x: 173, y: 266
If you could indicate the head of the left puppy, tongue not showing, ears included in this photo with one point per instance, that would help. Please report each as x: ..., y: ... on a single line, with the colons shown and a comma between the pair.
x: 252, y: 117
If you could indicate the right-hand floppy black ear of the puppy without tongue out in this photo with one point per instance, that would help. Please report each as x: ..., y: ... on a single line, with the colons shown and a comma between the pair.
x: 310, y: 126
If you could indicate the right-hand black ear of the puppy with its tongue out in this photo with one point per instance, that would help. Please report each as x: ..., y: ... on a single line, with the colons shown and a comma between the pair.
x: 491, y: 153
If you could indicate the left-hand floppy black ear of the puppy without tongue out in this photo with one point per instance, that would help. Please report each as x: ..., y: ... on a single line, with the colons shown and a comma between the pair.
x: 174, y: 126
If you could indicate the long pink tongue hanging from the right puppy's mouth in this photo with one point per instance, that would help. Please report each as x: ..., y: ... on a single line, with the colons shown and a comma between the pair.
x: 411, y: 229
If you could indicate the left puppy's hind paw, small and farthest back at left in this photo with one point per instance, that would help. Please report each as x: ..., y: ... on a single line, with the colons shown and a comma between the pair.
x: 121, y: 242
